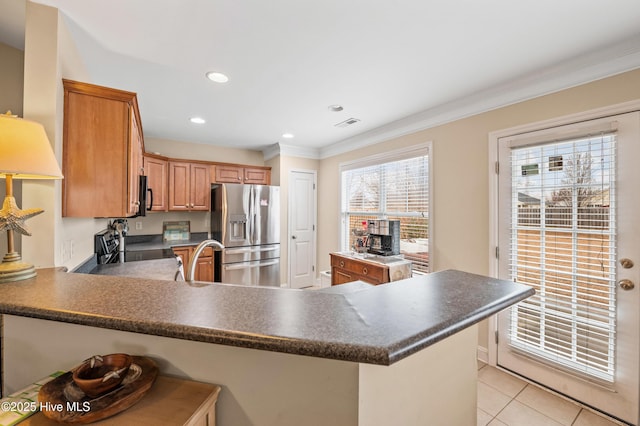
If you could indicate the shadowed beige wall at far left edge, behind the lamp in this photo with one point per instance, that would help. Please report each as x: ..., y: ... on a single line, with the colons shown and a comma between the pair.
x: 11, y: 88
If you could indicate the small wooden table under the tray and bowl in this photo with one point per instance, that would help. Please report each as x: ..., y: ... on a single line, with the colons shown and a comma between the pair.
x: 170, y: 401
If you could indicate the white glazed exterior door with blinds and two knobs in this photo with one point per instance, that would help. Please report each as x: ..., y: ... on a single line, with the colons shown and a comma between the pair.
x: 569, y: 203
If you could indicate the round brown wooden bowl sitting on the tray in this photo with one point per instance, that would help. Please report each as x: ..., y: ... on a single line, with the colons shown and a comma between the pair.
x: 100, y: 374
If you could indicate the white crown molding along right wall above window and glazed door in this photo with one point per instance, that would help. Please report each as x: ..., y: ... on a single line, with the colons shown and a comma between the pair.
x: 579, y: 70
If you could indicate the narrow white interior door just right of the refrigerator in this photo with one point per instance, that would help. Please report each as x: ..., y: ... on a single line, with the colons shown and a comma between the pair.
x: 302, y: 228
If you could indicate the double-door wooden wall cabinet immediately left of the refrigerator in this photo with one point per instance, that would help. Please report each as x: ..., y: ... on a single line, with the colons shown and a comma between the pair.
x: 189, y: 186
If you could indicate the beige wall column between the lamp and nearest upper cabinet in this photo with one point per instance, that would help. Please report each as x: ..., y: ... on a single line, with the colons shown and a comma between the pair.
x: 51, y: 55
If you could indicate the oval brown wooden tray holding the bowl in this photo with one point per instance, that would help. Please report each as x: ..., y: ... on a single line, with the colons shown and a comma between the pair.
x: 63, y: 401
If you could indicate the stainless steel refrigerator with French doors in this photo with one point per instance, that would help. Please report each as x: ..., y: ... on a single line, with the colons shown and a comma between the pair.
x: 246, y: 220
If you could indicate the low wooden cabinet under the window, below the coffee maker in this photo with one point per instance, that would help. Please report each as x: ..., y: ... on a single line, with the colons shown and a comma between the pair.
x: 346, y: 269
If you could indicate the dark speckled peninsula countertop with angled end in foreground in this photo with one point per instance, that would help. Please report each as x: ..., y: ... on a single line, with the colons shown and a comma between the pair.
x: 377, y: 325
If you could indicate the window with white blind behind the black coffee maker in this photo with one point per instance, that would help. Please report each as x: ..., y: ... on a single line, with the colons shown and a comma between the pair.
x: 394, y: 186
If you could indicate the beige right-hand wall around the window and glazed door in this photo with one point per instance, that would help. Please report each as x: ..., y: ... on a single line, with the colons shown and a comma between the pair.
x: 460, y: 204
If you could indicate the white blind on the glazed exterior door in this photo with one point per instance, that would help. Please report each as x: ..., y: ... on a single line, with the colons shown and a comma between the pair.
x: 563, y: 244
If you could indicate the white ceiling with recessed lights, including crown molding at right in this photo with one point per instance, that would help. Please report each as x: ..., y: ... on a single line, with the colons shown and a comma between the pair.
x: 398, y: 66
